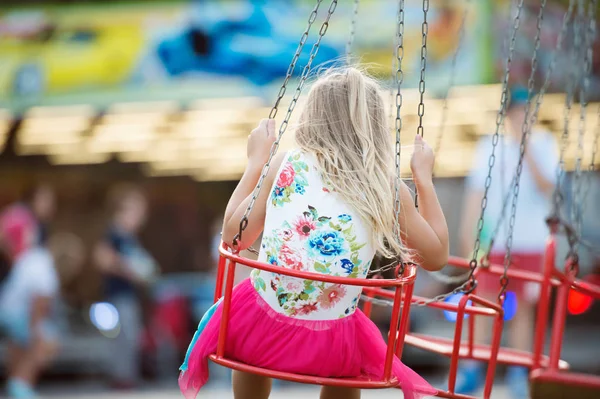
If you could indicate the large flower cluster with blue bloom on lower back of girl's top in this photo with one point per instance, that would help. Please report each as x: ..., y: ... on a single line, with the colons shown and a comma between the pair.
x: 312, y: 242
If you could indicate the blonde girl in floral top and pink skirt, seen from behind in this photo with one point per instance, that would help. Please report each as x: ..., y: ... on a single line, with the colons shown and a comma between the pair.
x: 329, y: 209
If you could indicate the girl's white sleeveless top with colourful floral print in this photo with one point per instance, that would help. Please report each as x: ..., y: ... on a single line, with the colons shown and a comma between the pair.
x: 308, y: 227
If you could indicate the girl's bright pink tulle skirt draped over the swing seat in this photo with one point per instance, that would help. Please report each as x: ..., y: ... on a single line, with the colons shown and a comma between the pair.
x: 259, y: 336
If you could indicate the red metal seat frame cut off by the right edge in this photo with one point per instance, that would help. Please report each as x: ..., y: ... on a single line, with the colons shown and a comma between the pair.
x: 553, y: 373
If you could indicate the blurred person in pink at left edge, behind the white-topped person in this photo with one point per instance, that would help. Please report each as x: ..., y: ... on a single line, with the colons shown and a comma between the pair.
x: 24, y: 225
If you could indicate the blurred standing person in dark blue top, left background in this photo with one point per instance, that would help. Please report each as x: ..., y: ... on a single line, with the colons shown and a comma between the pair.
x: 128, y: 271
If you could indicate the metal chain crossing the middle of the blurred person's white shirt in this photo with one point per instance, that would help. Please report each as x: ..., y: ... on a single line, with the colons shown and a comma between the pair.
x: 526, y: 130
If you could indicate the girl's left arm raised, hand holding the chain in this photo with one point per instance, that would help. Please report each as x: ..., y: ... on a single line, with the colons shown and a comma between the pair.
x: 259, y: 145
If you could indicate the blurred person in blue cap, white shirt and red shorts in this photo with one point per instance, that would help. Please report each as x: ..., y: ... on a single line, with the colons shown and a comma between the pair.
x: 530, y: 231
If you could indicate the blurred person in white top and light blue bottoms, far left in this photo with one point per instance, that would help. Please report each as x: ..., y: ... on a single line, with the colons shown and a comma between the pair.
x: 27, y: 309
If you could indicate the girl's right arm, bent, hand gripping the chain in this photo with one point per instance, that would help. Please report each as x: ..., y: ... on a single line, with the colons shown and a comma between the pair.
x: 425, y: 232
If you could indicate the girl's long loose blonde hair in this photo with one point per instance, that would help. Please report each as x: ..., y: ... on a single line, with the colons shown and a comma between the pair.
x: 345, y: 126
